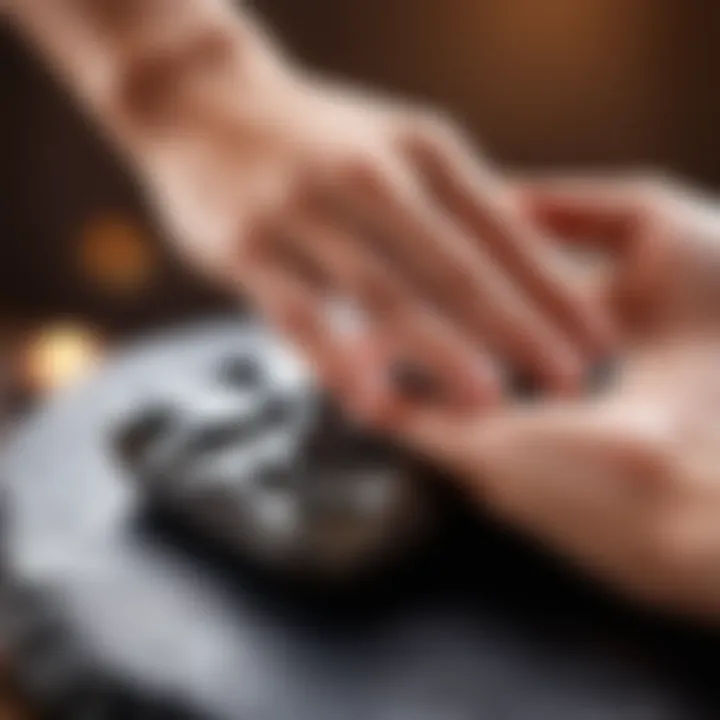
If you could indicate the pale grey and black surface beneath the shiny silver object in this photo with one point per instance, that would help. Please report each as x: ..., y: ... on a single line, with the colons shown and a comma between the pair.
x: 481, y: 626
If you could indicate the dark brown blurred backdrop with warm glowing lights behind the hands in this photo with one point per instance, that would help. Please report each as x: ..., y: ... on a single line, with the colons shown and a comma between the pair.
x: 542, y: 83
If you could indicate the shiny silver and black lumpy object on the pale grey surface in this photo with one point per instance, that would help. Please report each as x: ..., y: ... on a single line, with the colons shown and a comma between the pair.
x: 253, y: 456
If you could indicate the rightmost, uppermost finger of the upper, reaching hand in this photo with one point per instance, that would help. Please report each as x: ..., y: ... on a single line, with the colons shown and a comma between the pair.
x: 484, y: 206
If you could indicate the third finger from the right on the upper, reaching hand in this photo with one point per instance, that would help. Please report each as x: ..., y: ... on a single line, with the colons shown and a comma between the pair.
x: 396, y: 315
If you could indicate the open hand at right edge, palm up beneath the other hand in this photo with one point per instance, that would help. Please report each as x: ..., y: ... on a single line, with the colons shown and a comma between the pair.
x: 626, y: 483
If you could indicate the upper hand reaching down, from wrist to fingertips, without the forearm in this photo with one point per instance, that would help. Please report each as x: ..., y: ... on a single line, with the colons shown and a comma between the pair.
x: 299, y: 191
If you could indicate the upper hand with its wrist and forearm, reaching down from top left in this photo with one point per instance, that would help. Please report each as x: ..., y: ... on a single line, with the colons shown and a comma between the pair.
x: 300, y: 192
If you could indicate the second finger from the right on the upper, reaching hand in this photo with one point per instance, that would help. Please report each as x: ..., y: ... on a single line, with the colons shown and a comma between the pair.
x: 465, y: 283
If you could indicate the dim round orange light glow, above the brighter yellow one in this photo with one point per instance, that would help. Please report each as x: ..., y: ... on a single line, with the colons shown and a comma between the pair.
x: 116, y: 254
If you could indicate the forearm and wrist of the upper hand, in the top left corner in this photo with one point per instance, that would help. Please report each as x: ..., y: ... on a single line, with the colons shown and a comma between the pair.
x: 145, y: 67
